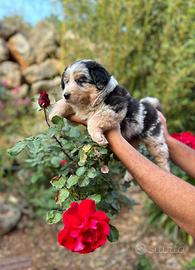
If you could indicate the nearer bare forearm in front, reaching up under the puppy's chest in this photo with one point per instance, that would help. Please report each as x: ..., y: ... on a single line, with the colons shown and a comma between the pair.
x: 174, y: 196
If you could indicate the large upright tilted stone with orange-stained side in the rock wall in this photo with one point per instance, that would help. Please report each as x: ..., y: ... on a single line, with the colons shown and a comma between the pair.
x: 21, y: 50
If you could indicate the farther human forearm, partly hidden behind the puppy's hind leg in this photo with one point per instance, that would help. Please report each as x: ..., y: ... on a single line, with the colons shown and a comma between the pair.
x: 182, y: 155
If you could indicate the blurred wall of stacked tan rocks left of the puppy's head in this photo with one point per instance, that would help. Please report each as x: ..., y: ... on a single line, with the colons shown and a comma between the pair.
x: 29, y: 58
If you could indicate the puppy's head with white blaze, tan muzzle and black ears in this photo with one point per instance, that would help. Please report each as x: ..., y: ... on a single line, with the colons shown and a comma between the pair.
x: 83, y: 81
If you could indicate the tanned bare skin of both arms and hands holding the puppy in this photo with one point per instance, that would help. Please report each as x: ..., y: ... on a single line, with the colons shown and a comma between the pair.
x: 172, y: 194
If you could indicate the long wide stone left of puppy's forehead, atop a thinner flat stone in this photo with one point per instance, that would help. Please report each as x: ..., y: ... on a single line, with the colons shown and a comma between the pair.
x: 46, y: 70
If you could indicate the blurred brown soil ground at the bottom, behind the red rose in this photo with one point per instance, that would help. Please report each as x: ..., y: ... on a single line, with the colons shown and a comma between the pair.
x: 38, y: 240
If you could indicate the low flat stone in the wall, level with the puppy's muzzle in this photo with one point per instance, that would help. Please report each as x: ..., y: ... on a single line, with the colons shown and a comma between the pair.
x: 46, y: 85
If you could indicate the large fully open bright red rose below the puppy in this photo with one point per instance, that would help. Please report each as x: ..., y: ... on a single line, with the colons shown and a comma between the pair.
x: 85, y: 228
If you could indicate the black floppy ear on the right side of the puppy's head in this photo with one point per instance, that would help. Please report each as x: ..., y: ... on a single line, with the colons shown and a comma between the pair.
x: 99, y: 74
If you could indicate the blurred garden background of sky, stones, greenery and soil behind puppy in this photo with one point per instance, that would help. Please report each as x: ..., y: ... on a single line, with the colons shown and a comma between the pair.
x: 149, y: 46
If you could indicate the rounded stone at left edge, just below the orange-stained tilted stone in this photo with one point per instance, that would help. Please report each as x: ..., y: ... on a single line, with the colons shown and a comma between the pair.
x: 10, y: 74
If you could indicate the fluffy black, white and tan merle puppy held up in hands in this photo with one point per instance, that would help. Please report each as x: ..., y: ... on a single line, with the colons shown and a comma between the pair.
x: 90, y: 92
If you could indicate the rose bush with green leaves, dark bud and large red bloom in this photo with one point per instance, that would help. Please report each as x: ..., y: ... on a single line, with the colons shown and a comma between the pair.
x: 81, y: 174
